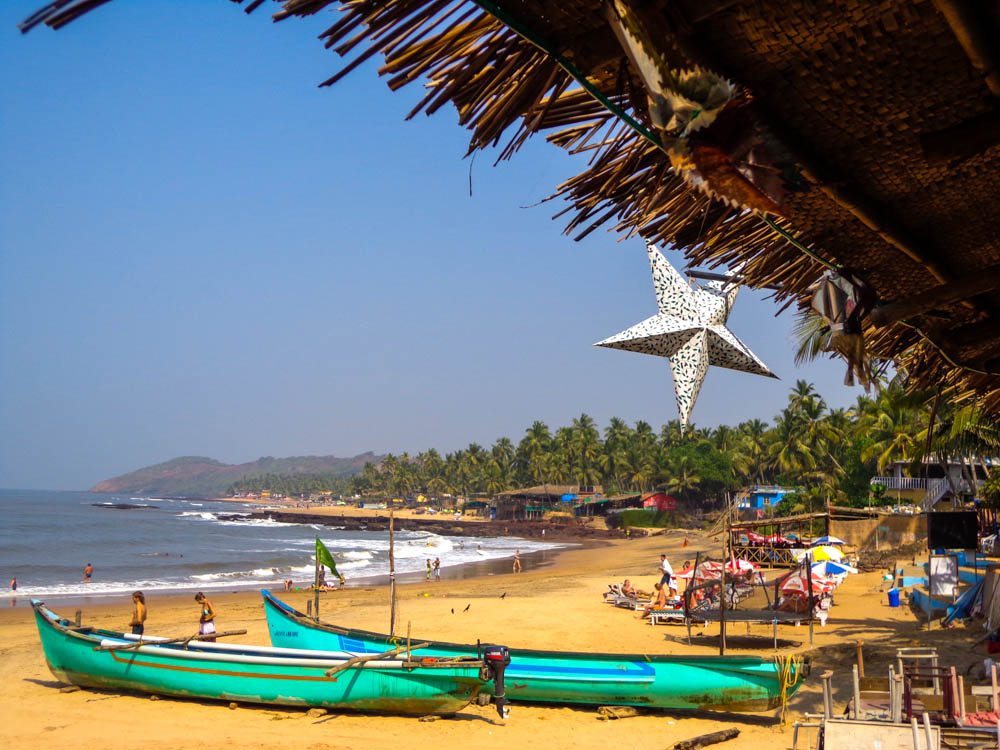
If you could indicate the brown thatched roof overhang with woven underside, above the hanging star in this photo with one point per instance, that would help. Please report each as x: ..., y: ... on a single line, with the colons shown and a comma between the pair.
x: 859, y: 136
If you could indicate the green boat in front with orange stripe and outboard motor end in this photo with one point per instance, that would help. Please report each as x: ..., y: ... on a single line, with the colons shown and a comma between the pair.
x: 91, y: 657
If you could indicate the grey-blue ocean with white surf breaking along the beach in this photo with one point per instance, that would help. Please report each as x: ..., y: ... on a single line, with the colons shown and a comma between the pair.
x: 46, y: 539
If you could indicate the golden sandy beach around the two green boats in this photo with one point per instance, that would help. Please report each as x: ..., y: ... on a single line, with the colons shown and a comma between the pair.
x: 555, y: 606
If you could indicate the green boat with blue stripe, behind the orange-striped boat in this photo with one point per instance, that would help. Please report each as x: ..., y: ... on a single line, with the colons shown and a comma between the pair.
x: 723, y: 683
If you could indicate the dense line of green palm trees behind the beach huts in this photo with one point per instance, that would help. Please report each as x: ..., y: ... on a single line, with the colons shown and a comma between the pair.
x: 827, y: 454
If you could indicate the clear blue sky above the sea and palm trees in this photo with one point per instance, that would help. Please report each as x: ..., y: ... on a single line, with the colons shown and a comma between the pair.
x: 202, y: 253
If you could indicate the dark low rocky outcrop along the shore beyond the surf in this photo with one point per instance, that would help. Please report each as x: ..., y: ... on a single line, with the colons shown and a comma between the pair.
x: 569, y: 528
